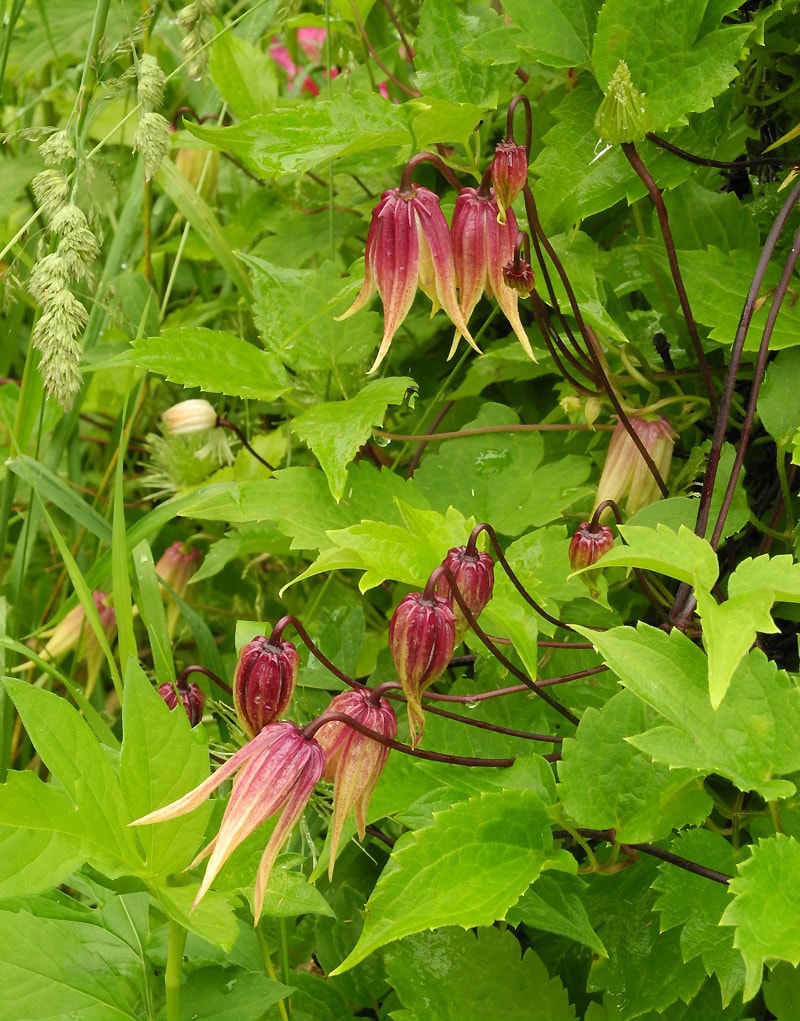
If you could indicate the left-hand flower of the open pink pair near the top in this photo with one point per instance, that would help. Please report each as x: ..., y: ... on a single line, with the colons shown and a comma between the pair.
x: 409, y: 246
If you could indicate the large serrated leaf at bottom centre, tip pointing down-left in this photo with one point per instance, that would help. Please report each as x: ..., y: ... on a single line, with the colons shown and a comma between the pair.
x: 468, y: 868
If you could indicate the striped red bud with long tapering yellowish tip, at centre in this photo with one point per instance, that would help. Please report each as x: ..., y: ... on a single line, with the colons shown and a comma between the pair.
x: 422, y: 639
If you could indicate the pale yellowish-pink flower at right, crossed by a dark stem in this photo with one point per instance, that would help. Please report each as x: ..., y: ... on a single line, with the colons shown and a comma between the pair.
x: 626, y: 473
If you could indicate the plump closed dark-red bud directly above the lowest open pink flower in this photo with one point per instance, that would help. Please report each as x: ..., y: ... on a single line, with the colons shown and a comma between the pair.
x: 265, y: 683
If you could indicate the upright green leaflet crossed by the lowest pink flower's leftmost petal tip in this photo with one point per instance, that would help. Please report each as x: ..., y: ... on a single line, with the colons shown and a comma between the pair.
x: 163, y: 758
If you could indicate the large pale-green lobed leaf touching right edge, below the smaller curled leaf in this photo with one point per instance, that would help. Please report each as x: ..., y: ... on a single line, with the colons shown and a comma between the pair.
x: 751, y: 739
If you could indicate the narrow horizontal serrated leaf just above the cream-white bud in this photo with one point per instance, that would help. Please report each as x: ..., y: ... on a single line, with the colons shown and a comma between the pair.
x: 214, y: 361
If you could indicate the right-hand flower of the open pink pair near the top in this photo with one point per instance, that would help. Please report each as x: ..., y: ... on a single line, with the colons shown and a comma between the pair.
x: 482, y: 249
